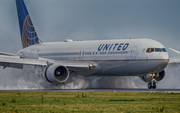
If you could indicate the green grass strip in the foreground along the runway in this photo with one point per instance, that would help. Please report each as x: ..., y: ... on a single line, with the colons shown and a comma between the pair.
x: 90, y: 102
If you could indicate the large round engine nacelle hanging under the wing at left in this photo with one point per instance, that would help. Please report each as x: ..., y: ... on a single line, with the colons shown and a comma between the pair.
x: 56, y: 73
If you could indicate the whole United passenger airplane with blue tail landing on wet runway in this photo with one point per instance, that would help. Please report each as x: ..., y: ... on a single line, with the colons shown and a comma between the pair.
x: 145, y: 58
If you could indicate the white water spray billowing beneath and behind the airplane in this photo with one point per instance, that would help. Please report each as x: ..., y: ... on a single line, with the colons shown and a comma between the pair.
x: 29, y: 79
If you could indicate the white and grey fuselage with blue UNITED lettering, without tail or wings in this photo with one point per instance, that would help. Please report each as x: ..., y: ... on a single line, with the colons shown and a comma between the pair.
x: 122, y: 57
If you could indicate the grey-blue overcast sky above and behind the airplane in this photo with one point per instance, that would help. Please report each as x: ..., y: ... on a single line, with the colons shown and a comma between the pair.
x: 57, y: 20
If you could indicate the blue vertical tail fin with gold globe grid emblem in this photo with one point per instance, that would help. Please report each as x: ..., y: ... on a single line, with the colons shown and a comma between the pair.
x: 27, y: 30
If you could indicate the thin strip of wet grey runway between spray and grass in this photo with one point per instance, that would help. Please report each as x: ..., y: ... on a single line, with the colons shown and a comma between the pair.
x: 100, y: 90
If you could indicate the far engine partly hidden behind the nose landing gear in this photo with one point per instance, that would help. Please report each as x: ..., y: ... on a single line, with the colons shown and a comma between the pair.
x: 158, y: 77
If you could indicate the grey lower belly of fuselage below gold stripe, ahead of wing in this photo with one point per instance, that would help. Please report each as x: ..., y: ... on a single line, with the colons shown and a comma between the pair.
x: 129, y: 68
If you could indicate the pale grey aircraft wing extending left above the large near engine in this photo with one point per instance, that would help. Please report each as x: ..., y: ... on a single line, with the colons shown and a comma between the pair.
x: 17, y: 62
